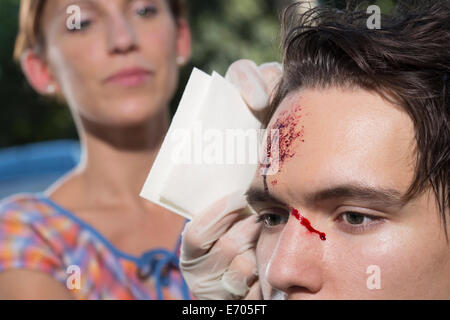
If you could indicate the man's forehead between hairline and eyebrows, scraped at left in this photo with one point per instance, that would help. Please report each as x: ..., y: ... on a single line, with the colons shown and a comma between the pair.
x: 348, y: 136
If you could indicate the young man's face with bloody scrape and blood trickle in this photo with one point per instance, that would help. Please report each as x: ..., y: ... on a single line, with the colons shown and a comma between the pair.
x: 346, y: 159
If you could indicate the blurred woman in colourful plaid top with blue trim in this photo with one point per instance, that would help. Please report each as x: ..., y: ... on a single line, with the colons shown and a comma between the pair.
x: 90, y: 236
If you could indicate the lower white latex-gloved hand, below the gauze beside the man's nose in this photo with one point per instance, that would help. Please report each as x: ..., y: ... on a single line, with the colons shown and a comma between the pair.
x: 217, y: 252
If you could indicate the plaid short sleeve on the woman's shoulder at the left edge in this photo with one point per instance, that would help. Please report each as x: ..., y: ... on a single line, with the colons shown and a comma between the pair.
x: 28, y: 237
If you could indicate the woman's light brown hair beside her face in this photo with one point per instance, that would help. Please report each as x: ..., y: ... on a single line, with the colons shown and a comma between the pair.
x: 30, y: 33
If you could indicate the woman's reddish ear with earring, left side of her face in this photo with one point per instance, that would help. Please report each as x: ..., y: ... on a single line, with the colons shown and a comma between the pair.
x: 38, y: 73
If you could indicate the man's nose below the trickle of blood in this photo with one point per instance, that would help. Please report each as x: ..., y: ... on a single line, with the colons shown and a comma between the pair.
x: 295, y: 264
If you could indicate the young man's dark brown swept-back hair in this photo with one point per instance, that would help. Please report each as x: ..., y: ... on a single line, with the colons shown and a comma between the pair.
x: 407, y: 61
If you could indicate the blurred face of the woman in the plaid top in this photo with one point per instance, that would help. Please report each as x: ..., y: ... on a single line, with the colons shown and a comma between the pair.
x: 120, y: 67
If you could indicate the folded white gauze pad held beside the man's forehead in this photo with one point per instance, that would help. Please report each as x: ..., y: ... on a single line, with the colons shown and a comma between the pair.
x: 201, y: 159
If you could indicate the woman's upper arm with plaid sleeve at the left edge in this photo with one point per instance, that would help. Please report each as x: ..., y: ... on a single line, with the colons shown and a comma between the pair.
x: 31, y: 264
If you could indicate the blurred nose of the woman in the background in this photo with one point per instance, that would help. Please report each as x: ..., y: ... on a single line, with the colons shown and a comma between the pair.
x: 121, y: 36
